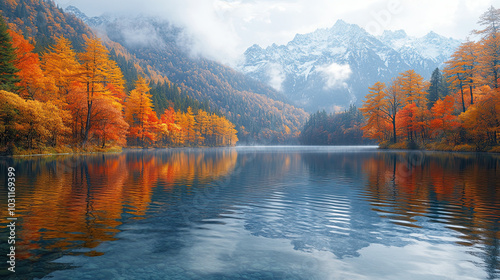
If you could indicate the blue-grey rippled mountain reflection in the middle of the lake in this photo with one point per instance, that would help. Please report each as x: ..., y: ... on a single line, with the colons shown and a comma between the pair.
x: 320, y: 208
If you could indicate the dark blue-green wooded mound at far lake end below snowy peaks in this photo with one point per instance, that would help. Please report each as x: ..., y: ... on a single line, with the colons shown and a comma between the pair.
x: 342, y: 128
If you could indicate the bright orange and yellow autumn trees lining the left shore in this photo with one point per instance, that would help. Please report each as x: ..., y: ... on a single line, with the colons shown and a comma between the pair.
x: 66, y: 100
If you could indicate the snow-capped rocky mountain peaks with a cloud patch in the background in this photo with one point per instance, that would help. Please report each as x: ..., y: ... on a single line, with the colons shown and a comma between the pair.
x: 332, y: 68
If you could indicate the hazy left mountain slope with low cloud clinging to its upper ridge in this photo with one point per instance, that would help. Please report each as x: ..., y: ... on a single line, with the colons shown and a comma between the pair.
x: 260, y: 113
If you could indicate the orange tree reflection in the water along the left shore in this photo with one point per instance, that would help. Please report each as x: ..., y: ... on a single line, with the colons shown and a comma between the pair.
x: 77, y: 202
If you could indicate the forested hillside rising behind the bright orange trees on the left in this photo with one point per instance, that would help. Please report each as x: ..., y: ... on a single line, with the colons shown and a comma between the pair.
x: 260, y: 115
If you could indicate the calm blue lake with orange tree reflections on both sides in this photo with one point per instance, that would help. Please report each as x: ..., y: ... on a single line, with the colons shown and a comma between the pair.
x: 255, y: 213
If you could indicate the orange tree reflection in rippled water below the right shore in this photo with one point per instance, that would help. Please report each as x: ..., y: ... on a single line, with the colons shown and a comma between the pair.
x: 460, y: 192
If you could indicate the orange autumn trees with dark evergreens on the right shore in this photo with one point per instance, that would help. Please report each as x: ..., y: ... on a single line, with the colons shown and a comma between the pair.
x: 462, y: 113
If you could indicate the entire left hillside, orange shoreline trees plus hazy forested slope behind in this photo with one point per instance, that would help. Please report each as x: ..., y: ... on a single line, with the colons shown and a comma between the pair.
x: 200, y: 85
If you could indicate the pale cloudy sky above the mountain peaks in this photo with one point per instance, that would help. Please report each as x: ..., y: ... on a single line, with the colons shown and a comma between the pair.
x: 224, y: 29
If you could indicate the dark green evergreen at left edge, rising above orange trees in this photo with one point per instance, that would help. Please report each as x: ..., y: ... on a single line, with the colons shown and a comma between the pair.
x: 8, y: 77
